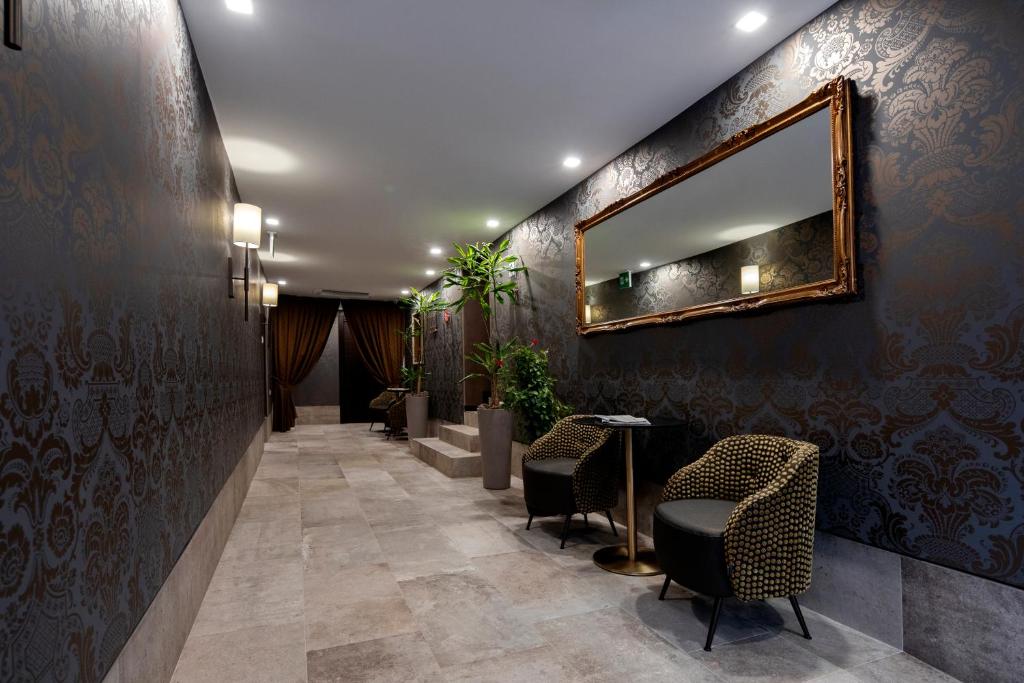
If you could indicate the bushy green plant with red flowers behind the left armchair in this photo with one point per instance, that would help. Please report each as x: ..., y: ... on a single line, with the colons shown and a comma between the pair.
x: 530, y: 391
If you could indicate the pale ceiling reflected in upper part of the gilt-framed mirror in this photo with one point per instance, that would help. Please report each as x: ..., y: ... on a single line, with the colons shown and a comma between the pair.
x: 782, y: 180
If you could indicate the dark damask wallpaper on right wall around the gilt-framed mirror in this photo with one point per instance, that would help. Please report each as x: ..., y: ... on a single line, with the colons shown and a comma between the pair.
x: 915, y: 392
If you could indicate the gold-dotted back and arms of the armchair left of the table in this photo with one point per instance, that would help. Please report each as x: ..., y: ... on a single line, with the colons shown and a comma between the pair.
x: 595, y: 478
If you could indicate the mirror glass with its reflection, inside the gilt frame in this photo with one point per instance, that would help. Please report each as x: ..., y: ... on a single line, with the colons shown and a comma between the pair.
x: 759, y: 222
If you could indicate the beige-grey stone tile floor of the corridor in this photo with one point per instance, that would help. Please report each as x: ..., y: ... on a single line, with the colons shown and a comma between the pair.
x: 354, y: 562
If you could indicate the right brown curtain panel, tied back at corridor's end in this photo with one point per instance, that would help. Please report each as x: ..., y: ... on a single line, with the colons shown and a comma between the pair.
x: 377, y: 328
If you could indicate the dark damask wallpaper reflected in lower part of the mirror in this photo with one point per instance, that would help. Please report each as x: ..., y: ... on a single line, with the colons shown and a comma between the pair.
x: 797, y: 254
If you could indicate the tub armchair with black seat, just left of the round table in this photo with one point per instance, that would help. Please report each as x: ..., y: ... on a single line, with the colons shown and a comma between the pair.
x: 572, y: 469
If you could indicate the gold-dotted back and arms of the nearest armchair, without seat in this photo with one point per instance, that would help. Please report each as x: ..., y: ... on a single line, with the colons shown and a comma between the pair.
x: 770, y: 538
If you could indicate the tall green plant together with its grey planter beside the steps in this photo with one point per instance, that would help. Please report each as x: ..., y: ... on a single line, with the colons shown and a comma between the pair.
x: 487, y: 275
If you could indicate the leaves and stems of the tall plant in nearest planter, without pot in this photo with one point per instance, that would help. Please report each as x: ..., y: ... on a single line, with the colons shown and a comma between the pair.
x: 486, y: 275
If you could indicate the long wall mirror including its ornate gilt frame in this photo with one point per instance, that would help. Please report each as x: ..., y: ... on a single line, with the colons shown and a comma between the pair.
x: 764, y: 219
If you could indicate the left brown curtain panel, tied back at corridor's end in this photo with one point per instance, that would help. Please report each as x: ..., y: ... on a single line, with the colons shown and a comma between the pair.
x: 301, y: 327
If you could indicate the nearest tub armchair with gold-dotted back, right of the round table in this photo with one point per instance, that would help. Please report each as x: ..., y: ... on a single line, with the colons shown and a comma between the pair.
x: 740, y: 522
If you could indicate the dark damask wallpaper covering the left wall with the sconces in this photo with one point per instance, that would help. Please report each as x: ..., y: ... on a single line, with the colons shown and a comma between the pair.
x: 130, y: 385
